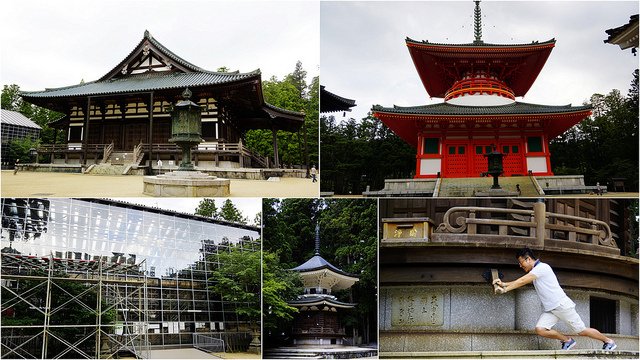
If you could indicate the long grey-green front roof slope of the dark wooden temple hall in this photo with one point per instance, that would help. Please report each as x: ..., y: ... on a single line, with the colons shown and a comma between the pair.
x: 142, y: 82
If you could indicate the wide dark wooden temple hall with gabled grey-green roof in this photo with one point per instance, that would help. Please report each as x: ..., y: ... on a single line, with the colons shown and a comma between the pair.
x: 124, y: 117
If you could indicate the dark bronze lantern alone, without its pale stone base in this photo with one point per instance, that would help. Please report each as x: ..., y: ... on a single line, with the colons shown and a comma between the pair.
x: 186, y: 128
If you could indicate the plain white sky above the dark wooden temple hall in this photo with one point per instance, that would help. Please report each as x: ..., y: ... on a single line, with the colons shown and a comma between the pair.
x: 54, y: 44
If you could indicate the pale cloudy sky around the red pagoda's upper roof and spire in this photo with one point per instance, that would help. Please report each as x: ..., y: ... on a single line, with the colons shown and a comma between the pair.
x: 364, y: 56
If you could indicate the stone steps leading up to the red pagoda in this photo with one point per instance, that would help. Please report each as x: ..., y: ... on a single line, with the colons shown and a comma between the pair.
x: 467, y: 187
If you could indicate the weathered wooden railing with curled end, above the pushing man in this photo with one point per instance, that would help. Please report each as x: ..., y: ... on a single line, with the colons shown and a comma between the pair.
x: 537, y: 224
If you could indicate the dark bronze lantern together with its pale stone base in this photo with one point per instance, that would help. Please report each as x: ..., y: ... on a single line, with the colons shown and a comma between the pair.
x: 186, y: 132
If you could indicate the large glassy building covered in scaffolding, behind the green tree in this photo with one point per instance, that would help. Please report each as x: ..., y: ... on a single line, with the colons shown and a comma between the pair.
x: 97, y: 278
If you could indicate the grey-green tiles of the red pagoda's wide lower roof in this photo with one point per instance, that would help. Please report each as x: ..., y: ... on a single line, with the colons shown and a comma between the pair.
x: 517, y: 108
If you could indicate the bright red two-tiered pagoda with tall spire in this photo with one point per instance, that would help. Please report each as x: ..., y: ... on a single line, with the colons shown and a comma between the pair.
x: 479, y: 83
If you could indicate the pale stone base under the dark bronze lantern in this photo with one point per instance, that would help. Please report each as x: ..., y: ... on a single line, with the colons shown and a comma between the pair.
x: 186, y: 184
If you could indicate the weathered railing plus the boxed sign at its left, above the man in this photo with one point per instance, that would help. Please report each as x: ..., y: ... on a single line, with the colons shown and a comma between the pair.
x: 503, y: 227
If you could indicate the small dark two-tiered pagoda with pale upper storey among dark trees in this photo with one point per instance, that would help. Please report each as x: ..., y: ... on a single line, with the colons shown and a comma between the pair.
x: 318, y: 320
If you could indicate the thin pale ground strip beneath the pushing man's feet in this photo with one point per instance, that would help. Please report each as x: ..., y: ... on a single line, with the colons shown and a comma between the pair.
x: 516, y: 354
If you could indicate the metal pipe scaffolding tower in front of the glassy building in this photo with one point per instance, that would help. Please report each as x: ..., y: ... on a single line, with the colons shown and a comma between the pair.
x: 106, y: 287
